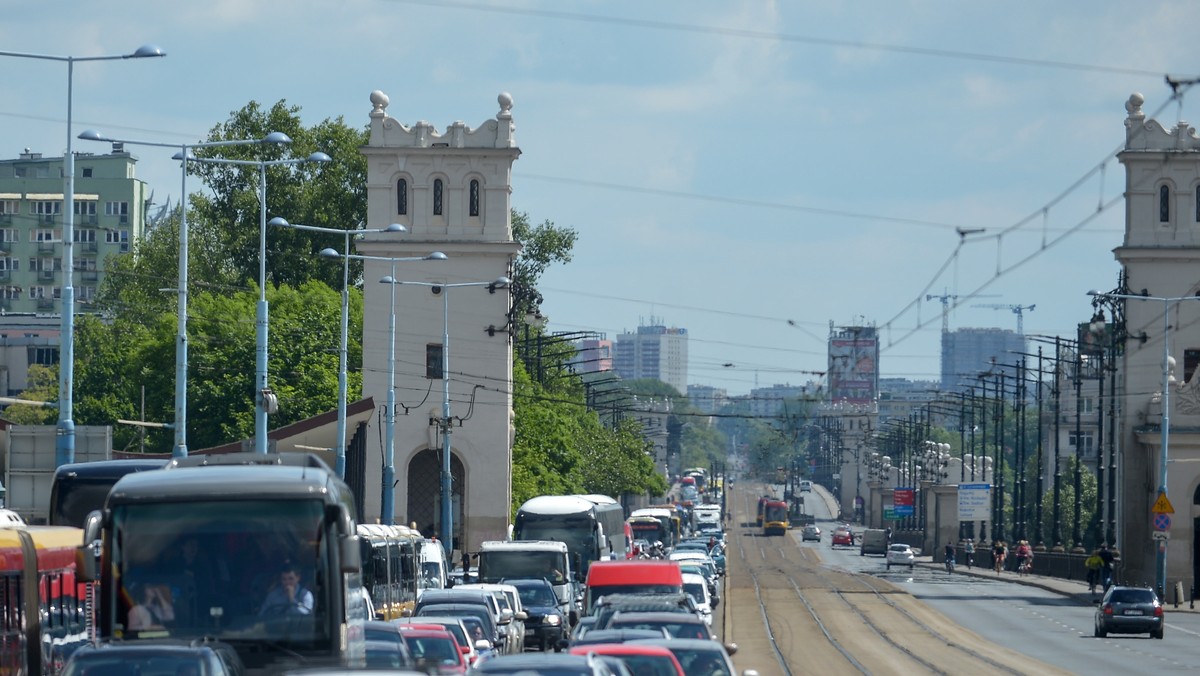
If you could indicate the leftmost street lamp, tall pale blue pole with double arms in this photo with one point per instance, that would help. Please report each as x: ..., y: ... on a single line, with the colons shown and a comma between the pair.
x: 64, y: 445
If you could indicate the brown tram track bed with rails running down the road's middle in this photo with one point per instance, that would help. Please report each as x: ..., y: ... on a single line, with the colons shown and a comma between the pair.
x: 820, y: 620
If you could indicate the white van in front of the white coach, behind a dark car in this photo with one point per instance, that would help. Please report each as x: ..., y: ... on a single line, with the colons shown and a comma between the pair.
x: 550, y: 560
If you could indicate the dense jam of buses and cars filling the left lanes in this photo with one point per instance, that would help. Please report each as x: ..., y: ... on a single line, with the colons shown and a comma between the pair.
x: 200, y: 579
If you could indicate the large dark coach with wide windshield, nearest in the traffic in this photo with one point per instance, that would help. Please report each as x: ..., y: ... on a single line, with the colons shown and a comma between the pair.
x: 259, y: 519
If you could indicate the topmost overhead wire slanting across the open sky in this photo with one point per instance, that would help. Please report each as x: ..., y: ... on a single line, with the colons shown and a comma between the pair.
x: 788, y: 39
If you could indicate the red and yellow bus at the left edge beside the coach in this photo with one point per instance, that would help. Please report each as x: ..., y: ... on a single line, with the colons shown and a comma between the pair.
x: 44, y: 605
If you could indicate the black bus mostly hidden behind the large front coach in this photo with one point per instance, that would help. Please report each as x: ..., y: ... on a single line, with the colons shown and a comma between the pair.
x: 80, y: 488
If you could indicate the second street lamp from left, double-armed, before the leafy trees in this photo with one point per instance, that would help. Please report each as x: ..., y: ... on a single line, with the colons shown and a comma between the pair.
x: 184, y: 155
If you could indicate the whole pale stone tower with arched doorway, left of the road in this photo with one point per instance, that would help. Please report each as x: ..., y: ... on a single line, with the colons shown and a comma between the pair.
x: 452, y: 192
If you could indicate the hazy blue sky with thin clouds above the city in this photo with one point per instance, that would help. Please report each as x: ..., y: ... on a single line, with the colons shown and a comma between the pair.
x: 752, y: 171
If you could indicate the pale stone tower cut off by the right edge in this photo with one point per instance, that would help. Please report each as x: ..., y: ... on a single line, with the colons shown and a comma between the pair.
x: 1160, y: 258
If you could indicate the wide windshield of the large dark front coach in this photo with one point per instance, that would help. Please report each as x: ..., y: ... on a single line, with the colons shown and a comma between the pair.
x: 236, y: 571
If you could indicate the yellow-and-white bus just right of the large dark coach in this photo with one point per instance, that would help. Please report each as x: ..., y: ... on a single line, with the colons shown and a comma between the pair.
x: 391, y: 569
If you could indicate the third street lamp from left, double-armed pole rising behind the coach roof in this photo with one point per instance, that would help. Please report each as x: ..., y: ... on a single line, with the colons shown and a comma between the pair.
x: 265, y: 400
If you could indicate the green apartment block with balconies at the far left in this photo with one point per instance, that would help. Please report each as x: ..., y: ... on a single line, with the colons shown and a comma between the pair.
x: 110, y: 214
